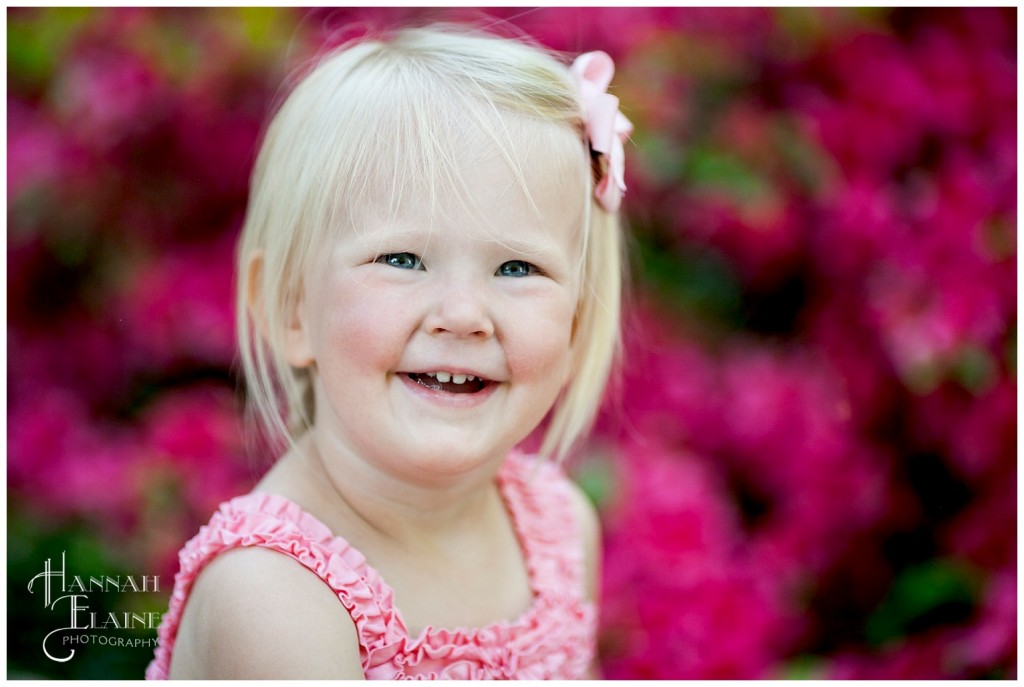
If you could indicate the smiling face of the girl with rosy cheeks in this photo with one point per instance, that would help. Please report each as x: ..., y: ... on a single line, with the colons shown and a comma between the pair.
x: 439, y: 342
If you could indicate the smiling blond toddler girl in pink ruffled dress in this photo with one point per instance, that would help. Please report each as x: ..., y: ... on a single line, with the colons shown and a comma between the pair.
x: 429, y: 271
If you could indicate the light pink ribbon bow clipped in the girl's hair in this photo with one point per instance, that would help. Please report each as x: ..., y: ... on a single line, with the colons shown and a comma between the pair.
x: 608, y: 128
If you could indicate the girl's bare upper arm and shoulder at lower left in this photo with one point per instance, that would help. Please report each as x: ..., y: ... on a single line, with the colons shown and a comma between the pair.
x: 258, y: 614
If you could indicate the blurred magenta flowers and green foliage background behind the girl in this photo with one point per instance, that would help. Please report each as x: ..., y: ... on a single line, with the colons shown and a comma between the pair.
x: 808, y: 465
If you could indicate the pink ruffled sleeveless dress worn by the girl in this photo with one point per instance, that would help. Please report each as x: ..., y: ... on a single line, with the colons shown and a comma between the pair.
x: 553, y: 639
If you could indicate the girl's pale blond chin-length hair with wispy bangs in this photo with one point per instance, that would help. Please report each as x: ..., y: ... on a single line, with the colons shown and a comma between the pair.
x: 374, y: 120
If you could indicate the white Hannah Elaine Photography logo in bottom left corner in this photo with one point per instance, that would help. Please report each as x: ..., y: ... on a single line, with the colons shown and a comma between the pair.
x: 68, y: 595
